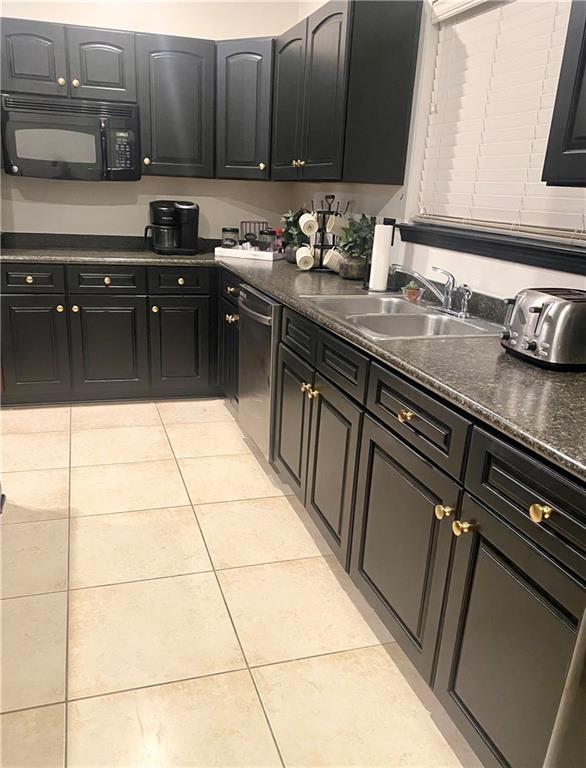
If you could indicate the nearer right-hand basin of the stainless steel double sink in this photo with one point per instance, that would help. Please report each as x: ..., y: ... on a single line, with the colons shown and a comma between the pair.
x: 414, y: 326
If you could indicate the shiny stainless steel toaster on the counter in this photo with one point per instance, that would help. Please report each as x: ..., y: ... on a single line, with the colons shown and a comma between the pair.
x: 547, y: 326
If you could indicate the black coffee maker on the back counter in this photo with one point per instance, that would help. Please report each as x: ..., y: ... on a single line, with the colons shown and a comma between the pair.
x: 173, y: 227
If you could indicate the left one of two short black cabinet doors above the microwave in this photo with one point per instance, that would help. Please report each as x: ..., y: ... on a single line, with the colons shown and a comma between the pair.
x: 33, y: 57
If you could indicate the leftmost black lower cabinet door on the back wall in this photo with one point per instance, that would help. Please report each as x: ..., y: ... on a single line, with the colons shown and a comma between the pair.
x: 35, y: 353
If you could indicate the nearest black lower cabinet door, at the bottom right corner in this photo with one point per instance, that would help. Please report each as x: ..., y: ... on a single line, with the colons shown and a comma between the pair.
x: 508, y: 637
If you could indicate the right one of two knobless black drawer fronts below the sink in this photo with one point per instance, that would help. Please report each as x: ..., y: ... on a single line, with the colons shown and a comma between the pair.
x: 342, y: 364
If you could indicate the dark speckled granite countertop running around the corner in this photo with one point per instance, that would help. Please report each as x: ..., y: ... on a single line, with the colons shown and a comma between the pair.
x: 543, y: 410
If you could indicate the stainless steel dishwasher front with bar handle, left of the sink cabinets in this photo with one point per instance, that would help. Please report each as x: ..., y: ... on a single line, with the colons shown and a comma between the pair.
x: 260, y: 326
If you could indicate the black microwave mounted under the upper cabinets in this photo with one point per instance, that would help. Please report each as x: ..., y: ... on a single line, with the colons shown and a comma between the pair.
x: 83, y: 140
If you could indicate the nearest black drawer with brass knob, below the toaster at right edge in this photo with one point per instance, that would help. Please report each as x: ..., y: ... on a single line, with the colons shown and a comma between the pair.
x: 510, y: 481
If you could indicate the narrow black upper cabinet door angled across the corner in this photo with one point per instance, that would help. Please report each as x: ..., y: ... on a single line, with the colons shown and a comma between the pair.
x: 243, y: 103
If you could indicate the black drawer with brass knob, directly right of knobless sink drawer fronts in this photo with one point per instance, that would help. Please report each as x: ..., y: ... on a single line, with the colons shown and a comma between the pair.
x: 431, y: 427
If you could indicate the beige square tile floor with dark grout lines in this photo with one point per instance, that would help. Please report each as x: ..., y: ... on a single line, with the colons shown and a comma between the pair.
x: 165, y: 602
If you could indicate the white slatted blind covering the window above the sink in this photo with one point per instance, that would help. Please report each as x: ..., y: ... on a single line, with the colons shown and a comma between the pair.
x: 495, y: 81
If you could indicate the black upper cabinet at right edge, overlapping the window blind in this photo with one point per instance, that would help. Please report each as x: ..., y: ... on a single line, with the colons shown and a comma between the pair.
x: 565, y: 158
